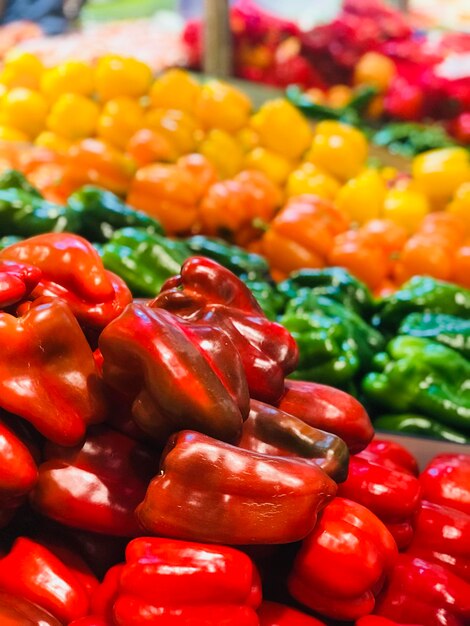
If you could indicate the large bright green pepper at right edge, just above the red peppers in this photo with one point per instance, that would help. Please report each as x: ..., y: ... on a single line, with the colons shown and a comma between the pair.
x: 424, y: 376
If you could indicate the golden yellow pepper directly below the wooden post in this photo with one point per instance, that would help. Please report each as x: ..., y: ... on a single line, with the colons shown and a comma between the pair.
x: 220, y: 105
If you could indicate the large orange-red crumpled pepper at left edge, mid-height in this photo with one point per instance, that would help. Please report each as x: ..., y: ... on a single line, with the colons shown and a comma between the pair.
x: 60, y: 392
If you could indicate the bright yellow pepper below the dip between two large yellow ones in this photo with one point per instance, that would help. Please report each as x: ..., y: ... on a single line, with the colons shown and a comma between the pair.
x: 361, y: 199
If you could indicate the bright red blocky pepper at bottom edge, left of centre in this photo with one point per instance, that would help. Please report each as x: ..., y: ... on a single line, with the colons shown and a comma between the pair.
x: 177, y: 582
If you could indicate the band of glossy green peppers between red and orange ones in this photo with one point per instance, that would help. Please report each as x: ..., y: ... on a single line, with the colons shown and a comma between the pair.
x: 405, y: 356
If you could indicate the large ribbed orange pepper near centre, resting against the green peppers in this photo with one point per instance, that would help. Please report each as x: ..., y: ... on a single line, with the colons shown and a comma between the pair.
x: 302, y: 234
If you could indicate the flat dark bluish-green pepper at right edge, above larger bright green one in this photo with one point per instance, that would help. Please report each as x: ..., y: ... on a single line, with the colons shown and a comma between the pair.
x: 449, y: 330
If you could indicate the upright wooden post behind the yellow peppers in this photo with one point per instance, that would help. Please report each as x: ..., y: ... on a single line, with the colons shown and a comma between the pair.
x: 217, y: 39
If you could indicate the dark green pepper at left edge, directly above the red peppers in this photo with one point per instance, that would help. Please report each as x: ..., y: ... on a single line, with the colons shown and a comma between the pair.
x: 25, y: 214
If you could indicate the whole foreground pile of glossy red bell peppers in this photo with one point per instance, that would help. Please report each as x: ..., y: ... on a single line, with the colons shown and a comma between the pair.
x: 157, y: 468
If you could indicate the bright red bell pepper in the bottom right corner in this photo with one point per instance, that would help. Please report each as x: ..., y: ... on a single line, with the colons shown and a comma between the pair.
x: 424, y: 593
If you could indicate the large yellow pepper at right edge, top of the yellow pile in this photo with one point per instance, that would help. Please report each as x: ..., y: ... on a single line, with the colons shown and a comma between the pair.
x: 438, y: 173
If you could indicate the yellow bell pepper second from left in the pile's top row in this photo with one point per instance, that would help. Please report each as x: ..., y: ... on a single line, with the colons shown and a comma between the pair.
x: 68, y: 77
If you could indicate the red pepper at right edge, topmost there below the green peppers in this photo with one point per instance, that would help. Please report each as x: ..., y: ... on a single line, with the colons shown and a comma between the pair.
x: 446, y: 480
